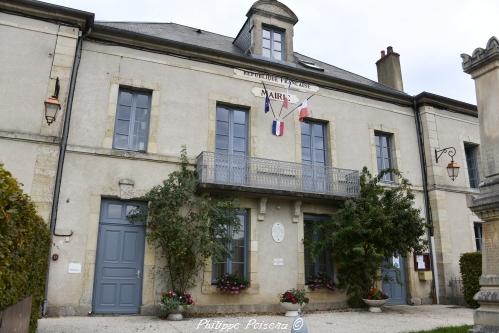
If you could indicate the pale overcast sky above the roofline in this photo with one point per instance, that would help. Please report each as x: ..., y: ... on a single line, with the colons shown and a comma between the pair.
x: 429, y: 35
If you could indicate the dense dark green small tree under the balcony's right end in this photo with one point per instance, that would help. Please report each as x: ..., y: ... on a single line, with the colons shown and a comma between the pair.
x: 379, y: 223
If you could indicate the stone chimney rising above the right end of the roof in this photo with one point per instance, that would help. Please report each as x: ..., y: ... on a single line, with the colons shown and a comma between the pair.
x: 389, y: 72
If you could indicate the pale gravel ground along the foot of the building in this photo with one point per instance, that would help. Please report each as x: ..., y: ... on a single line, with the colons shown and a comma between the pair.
x: 393, y: 319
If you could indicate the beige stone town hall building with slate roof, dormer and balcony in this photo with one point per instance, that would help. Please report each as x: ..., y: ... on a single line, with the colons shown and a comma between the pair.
x: 133, y: 93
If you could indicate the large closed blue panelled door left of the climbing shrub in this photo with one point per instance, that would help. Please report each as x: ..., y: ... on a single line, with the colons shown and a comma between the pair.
x: 119, y: 260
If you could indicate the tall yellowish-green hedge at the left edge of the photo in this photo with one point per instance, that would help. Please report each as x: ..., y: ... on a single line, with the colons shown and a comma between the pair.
x: 24, y: 248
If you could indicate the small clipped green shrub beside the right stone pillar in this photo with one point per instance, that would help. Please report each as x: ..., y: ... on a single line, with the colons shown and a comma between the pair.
x: 471, y: 270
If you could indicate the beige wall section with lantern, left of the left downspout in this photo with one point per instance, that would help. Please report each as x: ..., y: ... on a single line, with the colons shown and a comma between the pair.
x: 34, y: 53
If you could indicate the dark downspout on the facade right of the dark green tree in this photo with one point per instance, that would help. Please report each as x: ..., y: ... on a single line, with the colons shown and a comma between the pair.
x: 426, y: 199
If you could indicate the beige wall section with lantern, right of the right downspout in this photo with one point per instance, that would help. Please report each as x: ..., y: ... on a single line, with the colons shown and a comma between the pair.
x: 453, y: 221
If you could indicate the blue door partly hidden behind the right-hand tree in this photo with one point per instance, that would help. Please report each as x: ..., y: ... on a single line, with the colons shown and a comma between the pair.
x: 395, y: 287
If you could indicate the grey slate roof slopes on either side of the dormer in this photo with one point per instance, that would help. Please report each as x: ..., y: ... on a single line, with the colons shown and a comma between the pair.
x: 196, y: 37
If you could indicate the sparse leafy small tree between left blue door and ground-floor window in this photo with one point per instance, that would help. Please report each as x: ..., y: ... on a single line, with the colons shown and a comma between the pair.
x: 186, y: 227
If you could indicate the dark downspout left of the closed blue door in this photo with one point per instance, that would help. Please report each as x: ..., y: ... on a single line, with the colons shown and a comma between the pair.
x: 62, y: 154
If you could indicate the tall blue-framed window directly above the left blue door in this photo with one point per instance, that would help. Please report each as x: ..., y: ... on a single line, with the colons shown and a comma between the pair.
x: 131, y: 128
